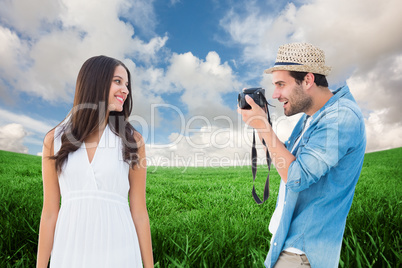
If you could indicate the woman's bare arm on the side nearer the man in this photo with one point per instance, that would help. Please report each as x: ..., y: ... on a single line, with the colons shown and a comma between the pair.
x: 138, y: 206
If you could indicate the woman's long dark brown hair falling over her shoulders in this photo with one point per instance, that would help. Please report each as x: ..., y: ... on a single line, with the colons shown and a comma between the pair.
x: 90, y: 111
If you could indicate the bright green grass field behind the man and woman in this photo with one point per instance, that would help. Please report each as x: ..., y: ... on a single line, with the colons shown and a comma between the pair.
x: 206, y: 217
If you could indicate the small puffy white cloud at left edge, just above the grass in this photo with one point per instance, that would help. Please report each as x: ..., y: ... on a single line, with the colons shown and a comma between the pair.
x: 12, y: 137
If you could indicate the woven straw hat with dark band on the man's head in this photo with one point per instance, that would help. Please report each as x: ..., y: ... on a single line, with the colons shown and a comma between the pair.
x: 300, y: 57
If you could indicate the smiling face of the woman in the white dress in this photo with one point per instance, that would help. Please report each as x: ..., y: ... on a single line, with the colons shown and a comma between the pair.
x: 118, y: 89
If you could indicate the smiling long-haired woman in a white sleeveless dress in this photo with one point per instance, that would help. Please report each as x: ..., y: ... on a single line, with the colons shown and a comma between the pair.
x: 93, y: 160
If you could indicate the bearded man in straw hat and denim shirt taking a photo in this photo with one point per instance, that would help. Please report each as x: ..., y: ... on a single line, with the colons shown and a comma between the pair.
x: 319, y: 164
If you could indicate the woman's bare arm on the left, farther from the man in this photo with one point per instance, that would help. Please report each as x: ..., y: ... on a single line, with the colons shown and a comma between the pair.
x: 51, y: 202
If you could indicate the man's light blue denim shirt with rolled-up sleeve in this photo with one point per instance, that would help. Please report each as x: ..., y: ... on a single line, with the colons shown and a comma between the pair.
x: 321, y: 182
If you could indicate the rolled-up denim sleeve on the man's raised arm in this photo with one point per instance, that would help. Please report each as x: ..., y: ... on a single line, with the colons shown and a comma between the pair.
x: 337, y: 131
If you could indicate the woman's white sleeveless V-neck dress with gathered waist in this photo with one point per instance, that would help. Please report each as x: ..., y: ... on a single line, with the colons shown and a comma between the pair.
x: 94, y: 227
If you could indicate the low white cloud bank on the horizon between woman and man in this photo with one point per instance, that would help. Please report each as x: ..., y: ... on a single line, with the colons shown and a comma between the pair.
x: 214, y: 145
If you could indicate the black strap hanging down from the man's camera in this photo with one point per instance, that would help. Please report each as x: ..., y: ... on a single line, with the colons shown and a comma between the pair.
x: 254, y: 165
